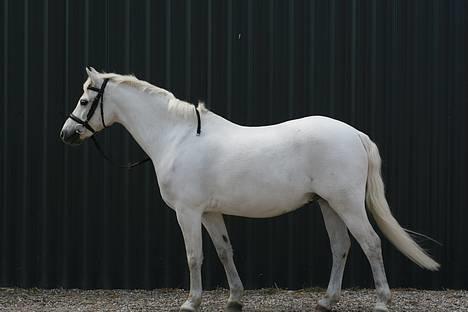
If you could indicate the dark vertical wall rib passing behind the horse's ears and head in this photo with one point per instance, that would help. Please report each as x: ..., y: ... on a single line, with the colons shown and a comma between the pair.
x: 84, y: 219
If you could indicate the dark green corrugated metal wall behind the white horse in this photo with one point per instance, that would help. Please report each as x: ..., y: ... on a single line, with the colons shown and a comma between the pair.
x: 394, y: 69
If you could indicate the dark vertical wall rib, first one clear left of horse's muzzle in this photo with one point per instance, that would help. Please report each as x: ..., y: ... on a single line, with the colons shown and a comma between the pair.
x: 45, y: 121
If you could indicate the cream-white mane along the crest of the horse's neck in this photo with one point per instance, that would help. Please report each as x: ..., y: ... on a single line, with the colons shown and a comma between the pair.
x: 175, y: 105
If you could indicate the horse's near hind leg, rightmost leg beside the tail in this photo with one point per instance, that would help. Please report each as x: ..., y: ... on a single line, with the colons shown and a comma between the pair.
x: 351, y: 209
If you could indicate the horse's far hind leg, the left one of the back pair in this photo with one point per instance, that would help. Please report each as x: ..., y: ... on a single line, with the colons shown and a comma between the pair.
x: 340, y: 243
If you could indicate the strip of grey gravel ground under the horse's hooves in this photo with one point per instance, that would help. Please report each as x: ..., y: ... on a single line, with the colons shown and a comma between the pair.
x: 55, y: 300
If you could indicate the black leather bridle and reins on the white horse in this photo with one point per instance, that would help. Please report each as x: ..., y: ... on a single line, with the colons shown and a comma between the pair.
x: 99, y: 99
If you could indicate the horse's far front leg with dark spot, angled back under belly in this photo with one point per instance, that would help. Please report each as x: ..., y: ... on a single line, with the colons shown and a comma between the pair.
x: 216, y: 228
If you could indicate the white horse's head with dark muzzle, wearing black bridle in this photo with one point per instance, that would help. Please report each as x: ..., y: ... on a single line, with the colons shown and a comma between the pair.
x: 89, y: 115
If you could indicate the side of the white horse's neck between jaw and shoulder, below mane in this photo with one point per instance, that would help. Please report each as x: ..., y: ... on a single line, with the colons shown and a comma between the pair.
x: 149, y: 121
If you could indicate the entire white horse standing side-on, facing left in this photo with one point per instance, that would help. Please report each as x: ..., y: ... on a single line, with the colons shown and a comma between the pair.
x: 255, y: 172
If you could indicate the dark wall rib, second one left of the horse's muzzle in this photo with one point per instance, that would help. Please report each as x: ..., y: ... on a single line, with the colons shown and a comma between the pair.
x: 25, y: 192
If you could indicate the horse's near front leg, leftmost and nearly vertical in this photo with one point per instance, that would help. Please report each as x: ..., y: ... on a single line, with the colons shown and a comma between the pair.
x: 190, y: 224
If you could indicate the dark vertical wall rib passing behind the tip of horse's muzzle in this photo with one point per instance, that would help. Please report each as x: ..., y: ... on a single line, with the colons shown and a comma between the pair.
x: 66, y: 176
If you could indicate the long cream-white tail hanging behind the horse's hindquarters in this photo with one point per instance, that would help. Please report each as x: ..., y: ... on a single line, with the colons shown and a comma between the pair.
x: 378, y: 206
